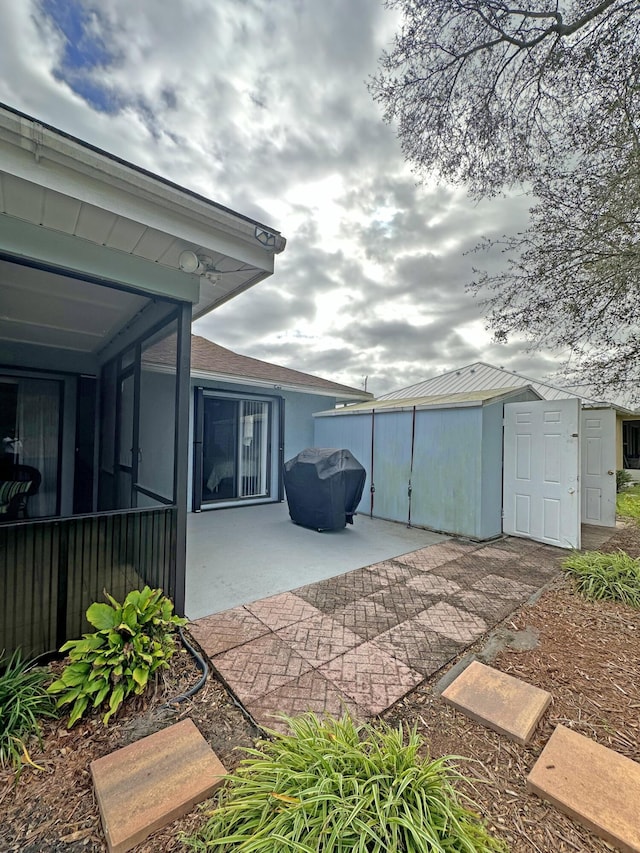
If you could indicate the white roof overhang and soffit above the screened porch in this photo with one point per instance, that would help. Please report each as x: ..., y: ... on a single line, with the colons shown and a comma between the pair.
x: 74, y: 212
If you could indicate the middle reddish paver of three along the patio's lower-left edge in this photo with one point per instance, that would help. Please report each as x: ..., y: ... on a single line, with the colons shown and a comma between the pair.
x: 260, y: 666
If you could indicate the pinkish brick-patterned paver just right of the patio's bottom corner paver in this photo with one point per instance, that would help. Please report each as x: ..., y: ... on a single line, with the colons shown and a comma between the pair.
x: 371, y: 677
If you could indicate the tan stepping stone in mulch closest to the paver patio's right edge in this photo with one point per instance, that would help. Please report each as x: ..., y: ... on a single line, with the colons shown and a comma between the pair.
x: 499, y: 701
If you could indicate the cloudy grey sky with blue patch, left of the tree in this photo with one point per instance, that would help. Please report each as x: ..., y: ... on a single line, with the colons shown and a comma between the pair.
x: 262, y: 105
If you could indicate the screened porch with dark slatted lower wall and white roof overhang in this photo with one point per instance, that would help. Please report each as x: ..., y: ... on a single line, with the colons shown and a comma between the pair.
x: 99, y: 262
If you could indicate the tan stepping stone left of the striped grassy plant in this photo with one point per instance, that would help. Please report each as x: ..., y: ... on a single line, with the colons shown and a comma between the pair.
x: 152, y: 782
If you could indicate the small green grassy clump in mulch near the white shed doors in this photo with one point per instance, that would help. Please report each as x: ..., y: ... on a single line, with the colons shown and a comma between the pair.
x: 598, y: 576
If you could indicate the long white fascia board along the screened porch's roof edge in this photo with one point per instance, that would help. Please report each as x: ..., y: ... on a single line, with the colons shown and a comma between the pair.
x: 37, y: 154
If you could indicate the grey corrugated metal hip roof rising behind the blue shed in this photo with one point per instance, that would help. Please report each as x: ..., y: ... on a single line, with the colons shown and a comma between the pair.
x: 480, y: 375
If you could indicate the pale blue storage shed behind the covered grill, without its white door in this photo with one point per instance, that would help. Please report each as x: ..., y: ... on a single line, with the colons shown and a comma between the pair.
x: 433, y: 461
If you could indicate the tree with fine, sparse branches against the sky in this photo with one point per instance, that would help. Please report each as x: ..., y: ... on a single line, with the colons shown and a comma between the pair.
x: 542, y: 97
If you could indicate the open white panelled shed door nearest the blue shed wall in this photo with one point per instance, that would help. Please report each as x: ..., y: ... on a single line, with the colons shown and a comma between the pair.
x: 541, y: 493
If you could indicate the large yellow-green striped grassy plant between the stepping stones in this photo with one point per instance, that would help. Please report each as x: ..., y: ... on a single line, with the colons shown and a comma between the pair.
x: 341, y: 787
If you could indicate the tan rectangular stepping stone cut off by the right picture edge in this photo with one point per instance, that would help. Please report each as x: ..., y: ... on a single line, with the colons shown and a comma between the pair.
x: 594, y: 785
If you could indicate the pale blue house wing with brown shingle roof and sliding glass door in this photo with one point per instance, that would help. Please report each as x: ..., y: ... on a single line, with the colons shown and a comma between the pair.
x: 248, y: 417
